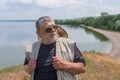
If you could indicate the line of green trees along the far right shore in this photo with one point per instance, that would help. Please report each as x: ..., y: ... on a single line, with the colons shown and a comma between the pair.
x: 105, y: 21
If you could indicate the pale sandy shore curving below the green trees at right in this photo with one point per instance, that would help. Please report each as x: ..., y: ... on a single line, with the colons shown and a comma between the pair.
x: 114, y: 38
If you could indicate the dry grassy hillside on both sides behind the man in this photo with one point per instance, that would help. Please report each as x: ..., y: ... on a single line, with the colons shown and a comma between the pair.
x: 99, y: 67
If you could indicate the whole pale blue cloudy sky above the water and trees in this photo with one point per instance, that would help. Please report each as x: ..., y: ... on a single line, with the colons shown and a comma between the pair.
x: 58, y: 9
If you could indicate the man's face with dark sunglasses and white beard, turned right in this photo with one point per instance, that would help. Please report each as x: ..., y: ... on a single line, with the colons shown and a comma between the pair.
x: 47, y: 32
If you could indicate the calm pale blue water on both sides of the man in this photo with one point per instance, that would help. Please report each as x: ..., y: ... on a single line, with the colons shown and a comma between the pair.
x: 15, y: 35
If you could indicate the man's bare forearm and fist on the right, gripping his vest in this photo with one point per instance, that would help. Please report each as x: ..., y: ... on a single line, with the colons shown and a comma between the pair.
x: 71, y: 67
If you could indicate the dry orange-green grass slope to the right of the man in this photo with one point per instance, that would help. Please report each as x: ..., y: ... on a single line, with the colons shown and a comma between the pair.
x: 100, y: 67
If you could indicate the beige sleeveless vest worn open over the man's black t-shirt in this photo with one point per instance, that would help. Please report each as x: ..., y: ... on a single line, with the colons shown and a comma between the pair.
x: 64, y: 50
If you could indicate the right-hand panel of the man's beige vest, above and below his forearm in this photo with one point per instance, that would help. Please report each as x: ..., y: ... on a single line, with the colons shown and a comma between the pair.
x: 65, y: 50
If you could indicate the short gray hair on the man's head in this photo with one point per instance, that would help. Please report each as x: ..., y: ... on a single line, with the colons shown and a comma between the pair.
x: 42, y: 19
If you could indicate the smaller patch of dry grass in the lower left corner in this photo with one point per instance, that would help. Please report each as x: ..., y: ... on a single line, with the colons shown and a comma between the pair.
x: 14, y: 73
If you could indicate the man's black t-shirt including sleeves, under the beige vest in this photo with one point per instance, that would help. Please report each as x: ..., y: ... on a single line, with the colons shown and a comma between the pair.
x: 44, y: 67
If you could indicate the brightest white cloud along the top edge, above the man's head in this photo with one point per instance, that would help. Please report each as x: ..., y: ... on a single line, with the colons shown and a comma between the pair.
x: 59, y: 3
